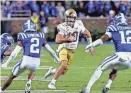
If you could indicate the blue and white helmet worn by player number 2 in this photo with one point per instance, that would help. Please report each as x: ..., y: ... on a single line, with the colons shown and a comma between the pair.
x: 29, y: 26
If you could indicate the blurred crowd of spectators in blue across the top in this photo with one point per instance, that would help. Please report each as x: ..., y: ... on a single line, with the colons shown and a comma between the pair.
x: 91, y: 8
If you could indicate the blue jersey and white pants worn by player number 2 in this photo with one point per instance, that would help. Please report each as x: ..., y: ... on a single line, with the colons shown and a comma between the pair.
x: 32, y: 43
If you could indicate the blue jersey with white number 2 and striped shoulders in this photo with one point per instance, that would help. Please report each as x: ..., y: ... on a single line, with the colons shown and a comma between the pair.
x: 32, y: 43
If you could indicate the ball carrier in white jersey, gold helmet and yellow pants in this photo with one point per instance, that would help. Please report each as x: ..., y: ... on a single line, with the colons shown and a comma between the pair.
x: 68, y: 38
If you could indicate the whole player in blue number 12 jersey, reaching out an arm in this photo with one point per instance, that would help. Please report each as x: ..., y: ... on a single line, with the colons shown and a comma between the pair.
x: 120, y: 33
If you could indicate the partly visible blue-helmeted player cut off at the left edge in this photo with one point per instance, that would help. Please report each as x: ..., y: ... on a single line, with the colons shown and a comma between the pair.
x: 6, y: 42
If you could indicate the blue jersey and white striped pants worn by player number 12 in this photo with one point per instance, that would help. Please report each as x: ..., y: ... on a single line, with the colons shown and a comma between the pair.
x: 121, y: 36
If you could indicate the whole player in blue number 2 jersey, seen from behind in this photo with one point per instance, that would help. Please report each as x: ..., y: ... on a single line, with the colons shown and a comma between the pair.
x: 31, y: 41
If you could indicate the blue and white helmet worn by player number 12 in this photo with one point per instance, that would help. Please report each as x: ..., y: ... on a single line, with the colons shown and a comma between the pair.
x: 120, y: 19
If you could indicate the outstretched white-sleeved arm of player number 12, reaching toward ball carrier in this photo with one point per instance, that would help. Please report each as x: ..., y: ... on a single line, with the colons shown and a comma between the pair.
x: 98, y: 42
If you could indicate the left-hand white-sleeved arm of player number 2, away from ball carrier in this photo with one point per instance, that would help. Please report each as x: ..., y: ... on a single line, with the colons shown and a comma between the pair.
x: 14, y: 53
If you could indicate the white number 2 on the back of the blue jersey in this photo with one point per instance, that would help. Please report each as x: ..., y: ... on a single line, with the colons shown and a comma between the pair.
x: 34, y: 47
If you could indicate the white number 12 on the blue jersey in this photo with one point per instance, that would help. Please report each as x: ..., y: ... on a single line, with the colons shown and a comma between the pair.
x: 125, y: 37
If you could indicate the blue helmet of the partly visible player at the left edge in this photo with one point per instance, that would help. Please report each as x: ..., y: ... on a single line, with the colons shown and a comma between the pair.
x: 7, y: 38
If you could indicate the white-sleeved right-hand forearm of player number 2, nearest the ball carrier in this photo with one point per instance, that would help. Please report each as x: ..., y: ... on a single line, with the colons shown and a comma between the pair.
x: 51, y: 51
